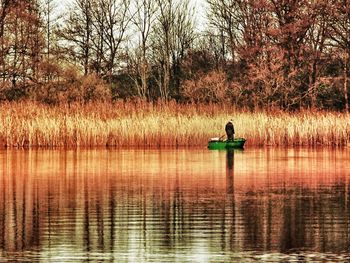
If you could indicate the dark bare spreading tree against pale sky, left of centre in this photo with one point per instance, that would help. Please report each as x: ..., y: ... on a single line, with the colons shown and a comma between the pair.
x: 93, y: 33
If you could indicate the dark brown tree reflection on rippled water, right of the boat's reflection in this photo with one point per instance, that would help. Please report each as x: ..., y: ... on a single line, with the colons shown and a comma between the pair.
x: 298, y: 219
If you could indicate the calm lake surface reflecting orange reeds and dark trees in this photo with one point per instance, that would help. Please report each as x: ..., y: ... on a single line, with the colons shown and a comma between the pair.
x: 270, y: 205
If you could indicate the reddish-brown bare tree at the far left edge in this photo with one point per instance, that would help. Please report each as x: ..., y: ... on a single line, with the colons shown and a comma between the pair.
x: 21, y: 43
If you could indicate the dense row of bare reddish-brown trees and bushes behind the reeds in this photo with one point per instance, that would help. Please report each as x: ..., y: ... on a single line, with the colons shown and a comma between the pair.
x: 287, y: 54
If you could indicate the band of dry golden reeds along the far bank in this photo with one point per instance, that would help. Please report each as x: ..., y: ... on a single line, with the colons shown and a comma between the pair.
x: 157, y: 124
